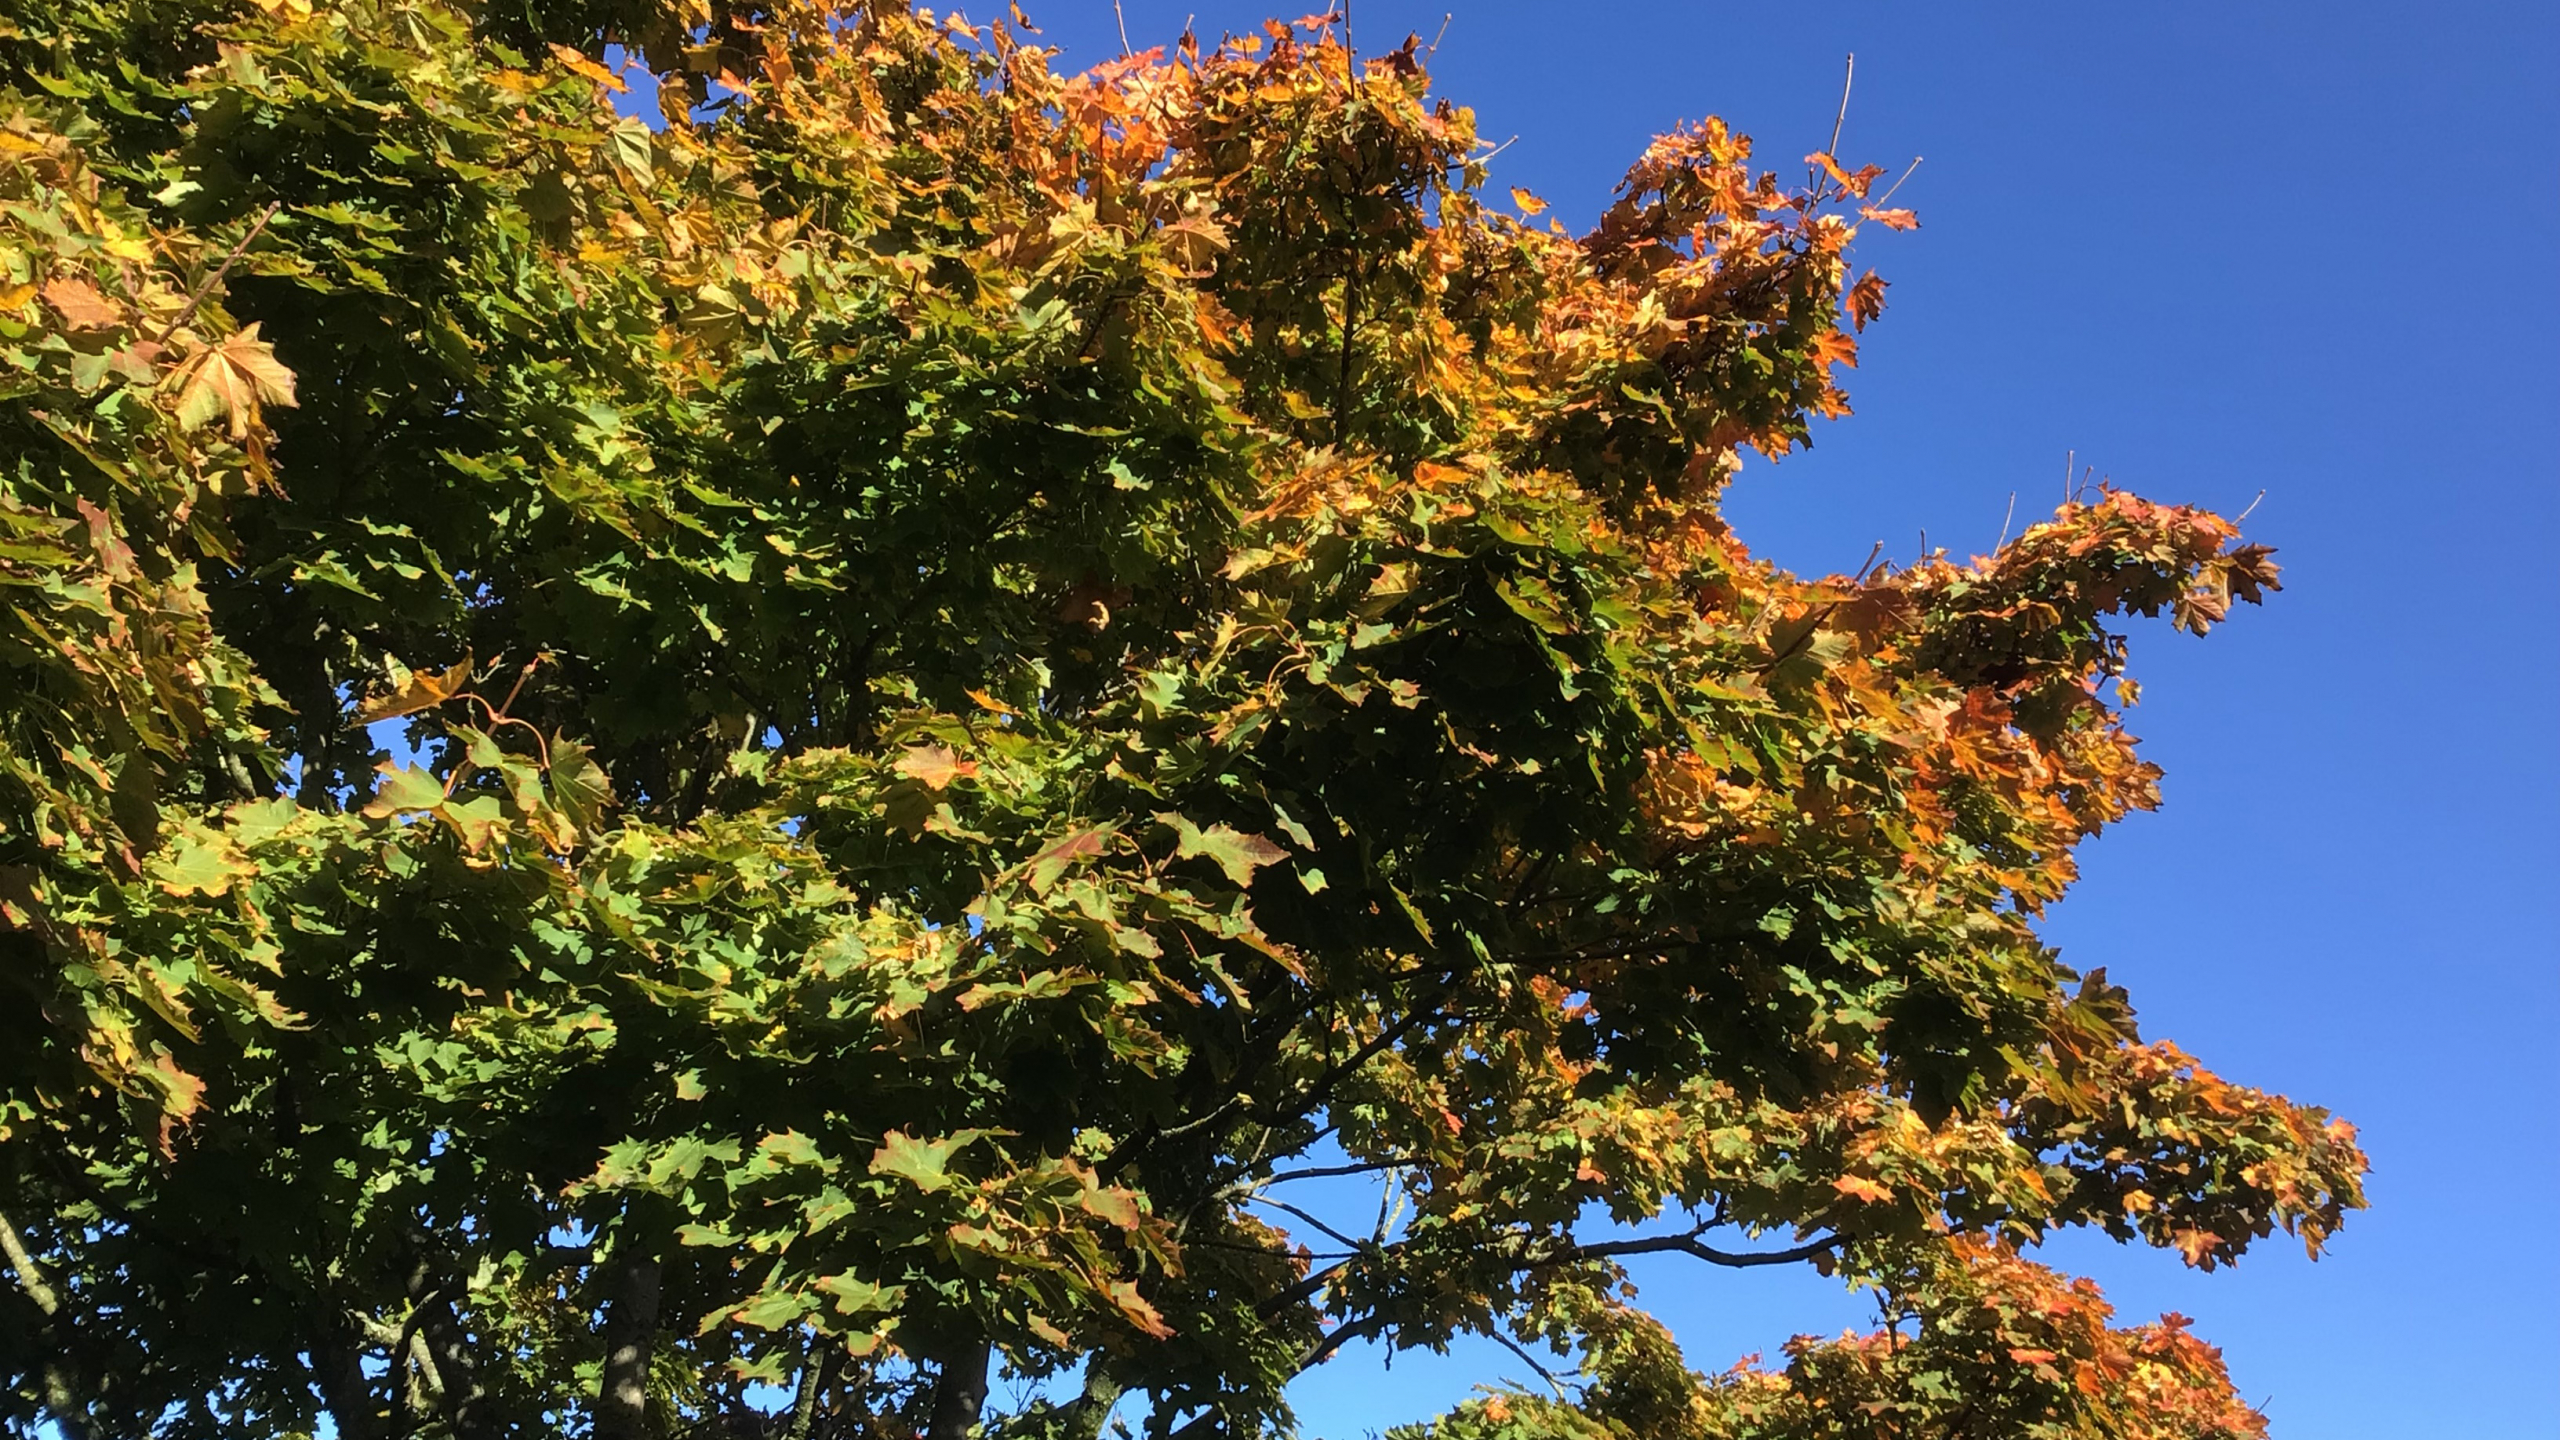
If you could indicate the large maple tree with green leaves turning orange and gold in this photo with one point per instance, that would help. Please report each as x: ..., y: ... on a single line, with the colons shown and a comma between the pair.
x: 797, y: 752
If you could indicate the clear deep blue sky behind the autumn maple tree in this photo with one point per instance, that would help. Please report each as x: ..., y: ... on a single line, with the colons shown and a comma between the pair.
x: 2216, y: 250
